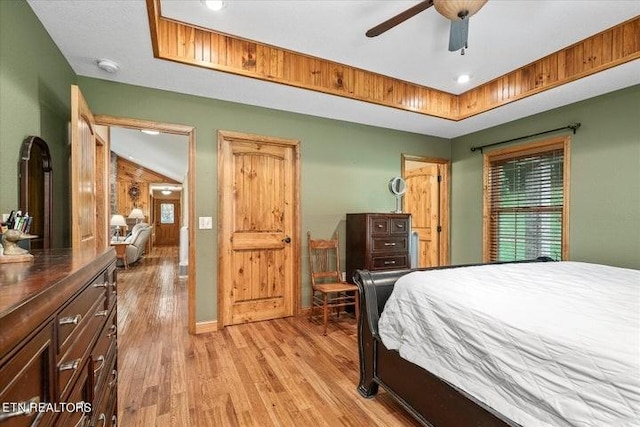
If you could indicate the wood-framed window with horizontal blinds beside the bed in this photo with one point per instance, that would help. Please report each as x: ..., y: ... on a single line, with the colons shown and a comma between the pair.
x: 526, y: 192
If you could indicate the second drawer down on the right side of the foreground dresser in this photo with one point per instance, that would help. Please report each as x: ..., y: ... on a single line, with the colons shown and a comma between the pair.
x: 75, y: 358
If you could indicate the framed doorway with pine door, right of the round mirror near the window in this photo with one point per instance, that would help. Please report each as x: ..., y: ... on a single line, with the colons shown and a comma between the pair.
x: 427, y: 200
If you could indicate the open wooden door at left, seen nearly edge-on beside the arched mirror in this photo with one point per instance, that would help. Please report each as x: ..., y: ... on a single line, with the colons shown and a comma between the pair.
x: 84, y: 225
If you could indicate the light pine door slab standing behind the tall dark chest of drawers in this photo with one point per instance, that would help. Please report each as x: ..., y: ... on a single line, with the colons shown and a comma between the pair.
x: 422, y: 201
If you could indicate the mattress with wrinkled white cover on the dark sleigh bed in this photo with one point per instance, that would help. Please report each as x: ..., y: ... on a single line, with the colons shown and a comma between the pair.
x: 544, y: 344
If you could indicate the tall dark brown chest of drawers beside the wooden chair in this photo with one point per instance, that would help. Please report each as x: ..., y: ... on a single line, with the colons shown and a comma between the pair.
x: 377, y: 241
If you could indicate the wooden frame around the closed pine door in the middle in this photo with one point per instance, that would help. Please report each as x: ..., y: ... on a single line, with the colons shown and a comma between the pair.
x: 224, y: 243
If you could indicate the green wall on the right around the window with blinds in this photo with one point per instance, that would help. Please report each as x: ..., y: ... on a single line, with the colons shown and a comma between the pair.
x: 605, y: 179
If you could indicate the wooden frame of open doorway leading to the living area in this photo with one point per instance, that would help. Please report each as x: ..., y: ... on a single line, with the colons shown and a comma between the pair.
x: 190, y: 133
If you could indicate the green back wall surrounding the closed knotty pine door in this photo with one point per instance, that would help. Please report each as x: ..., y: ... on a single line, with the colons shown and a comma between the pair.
x: 345, y: 167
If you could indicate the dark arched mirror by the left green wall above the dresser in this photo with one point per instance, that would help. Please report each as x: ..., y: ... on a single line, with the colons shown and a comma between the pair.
x: 28, y: 186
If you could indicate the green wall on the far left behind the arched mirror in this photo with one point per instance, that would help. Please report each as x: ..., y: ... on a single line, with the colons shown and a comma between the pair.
x: 35, y: 82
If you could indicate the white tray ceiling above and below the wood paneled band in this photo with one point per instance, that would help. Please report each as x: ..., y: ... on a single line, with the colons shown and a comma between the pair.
x: 504, y: 35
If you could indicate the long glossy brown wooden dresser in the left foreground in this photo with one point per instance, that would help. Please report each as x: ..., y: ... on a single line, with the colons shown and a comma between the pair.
x: 58, y: 347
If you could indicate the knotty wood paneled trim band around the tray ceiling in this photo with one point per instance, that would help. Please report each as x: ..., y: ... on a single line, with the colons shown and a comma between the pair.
x: 188, y: 44
